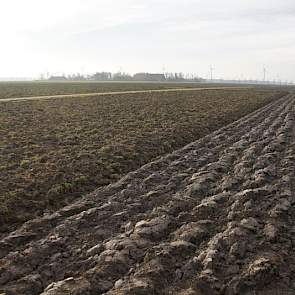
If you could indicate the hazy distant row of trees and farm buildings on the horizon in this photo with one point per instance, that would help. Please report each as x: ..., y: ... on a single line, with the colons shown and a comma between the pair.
x: 108, y: 76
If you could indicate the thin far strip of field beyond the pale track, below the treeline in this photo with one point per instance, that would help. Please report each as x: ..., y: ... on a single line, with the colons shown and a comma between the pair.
x: 27, y: 89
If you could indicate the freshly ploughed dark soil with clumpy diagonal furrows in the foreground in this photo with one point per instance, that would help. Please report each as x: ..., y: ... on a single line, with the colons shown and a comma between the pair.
x: 215, y: 217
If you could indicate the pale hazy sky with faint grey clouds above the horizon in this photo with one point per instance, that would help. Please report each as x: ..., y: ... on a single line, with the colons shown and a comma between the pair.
x: 238, y: 37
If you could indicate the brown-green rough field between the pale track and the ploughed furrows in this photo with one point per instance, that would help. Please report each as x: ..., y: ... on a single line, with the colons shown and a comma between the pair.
x: 54, y: 151
